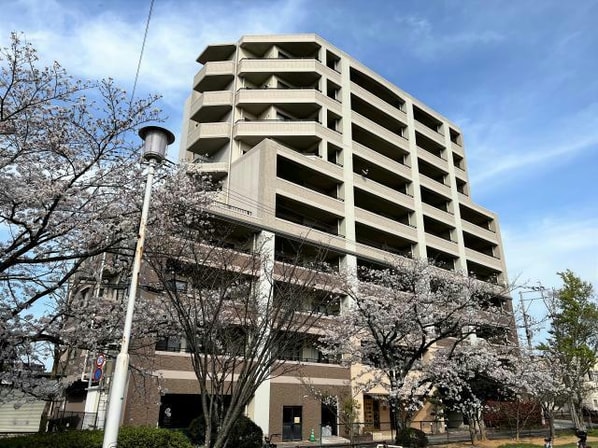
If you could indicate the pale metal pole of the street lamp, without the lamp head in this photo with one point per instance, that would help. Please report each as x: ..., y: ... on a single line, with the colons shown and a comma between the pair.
x: 120, y: 376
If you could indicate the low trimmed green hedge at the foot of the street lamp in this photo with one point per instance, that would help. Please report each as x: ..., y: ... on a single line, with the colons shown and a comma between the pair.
x: 128, y: 437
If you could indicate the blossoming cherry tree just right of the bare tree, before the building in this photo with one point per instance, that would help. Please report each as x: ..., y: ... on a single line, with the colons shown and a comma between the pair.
x: 399, y: 318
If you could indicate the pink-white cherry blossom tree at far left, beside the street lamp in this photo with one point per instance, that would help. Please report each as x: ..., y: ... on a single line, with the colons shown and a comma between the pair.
x: 69, y: 191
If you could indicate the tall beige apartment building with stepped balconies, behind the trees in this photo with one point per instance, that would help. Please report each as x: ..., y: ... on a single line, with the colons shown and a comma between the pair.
x: 312, y: 146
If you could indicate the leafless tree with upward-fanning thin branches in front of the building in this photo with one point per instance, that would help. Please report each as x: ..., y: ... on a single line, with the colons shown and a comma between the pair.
x: 242, y: 314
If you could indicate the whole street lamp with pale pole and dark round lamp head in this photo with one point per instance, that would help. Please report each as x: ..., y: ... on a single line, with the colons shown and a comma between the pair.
x: 156, y: 139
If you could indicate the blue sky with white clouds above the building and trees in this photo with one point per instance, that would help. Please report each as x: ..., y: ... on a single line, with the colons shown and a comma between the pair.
x: 518, y: 77
